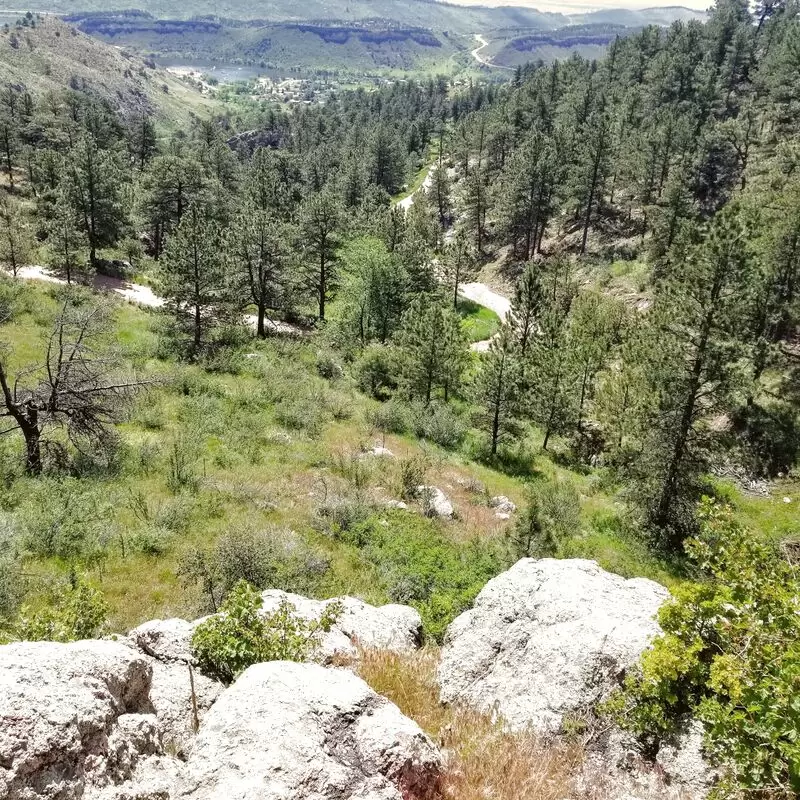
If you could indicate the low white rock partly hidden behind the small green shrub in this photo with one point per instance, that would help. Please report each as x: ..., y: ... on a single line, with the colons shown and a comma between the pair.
x: 391, y: 627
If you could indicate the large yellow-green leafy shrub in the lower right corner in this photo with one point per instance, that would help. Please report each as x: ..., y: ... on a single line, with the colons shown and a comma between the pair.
x: 730, y: 656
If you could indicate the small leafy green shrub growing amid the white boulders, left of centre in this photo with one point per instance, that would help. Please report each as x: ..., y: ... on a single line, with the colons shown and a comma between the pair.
x: 241, y: 635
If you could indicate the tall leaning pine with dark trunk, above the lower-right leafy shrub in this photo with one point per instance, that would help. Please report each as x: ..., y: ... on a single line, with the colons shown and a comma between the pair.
x: 698, y: 340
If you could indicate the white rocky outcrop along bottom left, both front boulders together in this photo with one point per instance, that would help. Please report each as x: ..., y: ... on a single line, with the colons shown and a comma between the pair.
x: 80, y: 721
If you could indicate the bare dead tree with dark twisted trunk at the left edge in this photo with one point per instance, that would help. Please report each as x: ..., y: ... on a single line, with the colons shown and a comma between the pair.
x: 77, y: 388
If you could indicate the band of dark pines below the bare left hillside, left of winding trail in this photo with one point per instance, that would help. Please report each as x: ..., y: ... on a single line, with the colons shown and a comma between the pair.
x: 229, y: 222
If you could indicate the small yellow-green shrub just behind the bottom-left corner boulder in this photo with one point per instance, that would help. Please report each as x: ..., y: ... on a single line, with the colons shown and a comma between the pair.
x: 76, y: 611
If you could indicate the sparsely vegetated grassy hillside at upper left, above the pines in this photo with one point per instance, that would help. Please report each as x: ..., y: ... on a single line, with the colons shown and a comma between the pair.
x: 47, y: 54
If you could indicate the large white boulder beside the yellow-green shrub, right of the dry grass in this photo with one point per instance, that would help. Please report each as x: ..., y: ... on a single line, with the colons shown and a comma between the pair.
x: 547, y: 639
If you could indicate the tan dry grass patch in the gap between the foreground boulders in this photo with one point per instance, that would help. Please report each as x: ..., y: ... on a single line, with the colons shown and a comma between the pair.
x: 484, y: 760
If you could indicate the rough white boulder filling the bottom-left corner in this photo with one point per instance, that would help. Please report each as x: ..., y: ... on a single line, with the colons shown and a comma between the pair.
x: 73, y: 717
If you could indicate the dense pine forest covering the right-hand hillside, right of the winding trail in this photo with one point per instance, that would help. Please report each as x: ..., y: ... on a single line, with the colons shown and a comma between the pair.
x: 679, y: 149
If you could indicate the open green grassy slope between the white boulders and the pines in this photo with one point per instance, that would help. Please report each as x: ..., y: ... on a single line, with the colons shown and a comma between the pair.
x: 271, y: 445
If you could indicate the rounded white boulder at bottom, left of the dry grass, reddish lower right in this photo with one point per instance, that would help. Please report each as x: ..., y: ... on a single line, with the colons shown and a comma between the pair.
x: 289, y: 731
